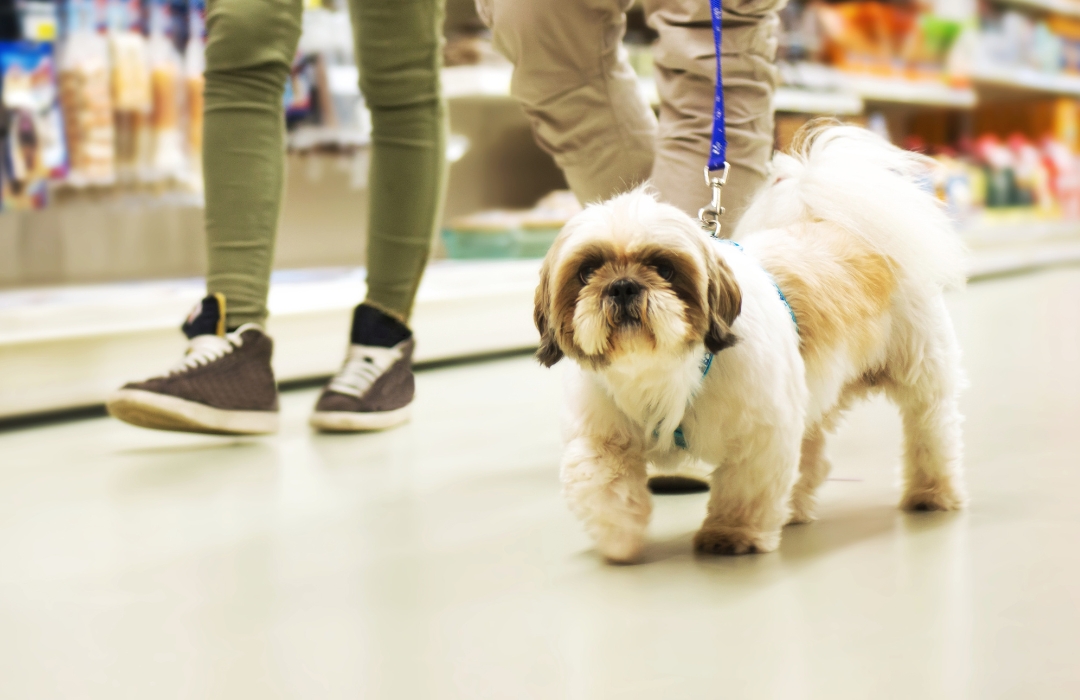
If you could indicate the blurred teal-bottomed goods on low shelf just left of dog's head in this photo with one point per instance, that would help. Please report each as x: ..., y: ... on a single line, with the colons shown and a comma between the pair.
x: 510, y: 234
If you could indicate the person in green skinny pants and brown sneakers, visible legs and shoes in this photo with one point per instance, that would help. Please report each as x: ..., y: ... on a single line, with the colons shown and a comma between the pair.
x: 225, y: 383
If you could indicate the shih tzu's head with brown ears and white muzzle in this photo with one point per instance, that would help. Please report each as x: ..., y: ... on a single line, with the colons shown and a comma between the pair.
x: 633, y: 276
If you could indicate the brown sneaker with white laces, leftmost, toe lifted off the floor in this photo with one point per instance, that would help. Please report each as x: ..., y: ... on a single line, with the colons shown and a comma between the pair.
x: 224, y: 385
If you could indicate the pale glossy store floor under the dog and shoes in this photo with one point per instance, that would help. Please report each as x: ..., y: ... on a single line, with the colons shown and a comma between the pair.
x: 439, y: 561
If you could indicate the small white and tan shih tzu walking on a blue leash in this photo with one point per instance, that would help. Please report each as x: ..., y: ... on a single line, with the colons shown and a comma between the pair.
x: 744, y: 356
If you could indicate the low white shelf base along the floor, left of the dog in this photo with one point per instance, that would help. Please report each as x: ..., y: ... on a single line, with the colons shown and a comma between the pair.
x: 70, y: 347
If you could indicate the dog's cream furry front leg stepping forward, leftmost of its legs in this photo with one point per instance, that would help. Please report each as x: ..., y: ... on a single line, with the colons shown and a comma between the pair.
x: 605, y: 486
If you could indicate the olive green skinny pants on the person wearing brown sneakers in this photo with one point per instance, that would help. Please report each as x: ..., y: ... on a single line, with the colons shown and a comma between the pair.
x: 250, y: 50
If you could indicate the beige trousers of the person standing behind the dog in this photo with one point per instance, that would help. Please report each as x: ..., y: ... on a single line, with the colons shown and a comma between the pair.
x: 576, y: 85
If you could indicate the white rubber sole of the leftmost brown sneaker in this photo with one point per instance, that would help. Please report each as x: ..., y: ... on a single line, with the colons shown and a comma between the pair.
x: 163, y: 412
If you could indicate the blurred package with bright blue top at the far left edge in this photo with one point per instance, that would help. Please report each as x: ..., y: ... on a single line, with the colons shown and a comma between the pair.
x: 34, y: 147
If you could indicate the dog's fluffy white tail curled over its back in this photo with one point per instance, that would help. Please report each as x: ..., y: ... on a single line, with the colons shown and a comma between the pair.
x: 854, y: 179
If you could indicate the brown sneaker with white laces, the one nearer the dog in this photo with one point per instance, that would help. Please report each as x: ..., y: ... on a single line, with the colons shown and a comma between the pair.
x: 375, y: 387
